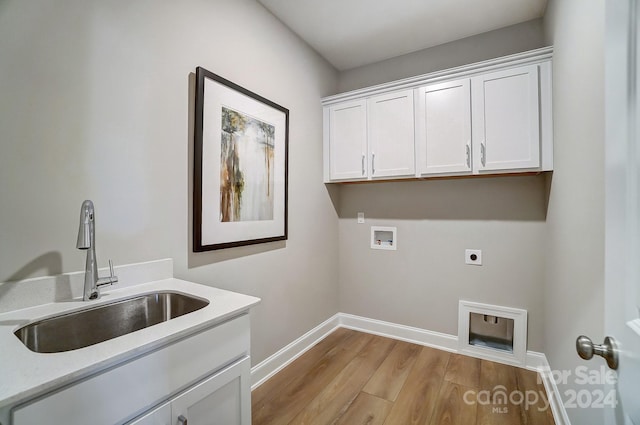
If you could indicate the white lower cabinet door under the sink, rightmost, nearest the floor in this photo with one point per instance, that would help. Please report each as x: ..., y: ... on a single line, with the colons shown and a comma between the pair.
x: 222, y: 399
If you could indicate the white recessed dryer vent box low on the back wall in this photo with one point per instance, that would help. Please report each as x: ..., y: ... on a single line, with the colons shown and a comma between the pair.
x: 493, y: 332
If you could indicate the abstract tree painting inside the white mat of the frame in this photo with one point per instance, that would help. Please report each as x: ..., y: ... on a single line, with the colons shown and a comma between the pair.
x: 246, y: 168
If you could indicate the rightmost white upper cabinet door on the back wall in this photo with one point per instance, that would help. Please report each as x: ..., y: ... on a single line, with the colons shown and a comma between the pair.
x: 506, y: 124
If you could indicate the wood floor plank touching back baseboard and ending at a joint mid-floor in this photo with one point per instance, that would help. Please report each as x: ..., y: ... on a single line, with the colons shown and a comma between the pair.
x: 390, y: 377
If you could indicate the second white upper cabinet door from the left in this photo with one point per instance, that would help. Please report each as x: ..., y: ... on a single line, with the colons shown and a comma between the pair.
x: 391, y: 134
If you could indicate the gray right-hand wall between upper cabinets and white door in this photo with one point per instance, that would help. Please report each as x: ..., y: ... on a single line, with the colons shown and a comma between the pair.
x: 575, y: 219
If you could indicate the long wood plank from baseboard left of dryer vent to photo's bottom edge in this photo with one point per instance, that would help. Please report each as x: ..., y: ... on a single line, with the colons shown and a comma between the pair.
x: 417, y: 399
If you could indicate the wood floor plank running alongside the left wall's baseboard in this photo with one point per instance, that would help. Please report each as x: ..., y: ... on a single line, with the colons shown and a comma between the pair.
x: 299, y: 366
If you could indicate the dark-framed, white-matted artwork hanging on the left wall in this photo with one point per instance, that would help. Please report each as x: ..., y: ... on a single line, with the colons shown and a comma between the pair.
x: 240, y: 166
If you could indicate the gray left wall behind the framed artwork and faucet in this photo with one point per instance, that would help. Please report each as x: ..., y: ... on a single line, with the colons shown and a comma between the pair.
x: 96, y: 105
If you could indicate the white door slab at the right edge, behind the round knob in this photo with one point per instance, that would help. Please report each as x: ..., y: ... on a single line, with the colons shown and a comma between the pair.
x: 622, y: 264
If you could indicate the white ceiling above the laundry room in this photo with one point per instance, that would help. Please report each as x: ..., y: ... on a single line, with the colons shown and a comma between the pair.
x: 352, y: 33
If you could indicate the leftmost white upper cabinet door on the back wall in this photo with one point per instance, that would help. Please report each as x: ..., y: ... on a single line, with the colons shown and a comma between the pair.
x: 348, y: 140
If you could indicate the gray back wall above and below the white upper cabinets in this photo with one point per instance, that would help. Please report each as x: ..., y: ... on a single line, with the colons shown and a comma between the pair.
x: 420, y: 283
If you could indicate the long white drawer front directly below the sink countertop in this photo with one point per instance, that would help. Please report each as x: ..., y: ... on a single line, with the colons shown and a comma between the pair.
x: 127, y: 390
